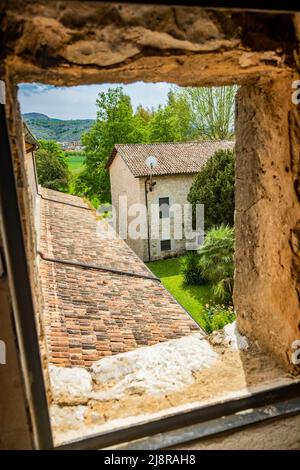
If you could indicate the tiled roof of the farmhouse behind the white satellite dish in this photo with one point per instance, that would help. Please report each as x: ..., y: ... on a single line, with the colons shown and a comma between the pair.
x: 172, y: 158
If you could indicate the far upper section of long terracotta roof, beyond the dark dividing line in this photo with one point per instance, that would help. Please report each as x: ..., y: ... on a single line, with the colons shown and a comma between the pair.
x: 72, y: 233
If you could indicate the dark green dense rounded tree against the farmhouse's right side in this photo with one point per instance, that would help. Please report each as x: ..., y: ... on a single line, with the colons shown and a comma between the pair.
x: 214, y: 187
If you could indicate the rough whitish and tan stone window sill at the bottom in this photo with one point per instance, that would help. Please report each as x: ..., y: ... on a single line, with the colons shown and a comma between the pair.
x: 160, y: 380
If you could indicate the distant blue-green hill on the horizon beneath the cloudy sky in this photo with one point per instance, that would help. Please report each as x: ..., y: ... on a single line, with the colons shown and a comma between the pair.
x: 45, y: 128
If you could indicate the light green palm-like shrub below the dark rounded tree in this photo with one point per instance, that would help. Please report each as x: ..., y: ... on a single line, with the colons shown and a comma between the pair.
x: 216, y: 261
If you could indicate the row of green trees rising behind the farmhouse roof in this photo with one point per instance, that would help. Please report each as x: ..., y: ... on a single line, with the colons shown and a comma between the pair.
x: 189, y: 114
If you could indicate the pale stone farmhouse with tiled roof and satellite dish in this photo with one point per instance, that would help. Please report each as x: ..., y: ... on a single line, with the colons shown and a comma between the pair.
x: 176, y: 167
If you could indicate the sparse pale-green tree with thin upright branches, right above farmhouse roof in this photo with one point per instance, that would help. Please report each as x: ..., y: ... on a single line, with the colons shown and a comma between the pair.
x: 212, y: 110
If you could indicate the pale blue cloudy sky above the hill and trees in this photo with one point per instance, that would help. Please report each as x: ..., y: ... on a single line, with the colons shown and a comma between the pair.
x: 80, y: 102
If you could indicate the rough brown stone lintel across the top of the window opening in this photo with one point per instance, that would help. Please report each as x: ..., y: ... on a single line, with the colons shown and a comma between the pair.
x: 76, y: 42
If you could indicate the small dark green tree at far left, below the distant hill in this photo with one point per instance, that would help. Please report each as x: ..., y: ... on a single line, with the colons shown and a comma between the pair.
x: 52, y: 167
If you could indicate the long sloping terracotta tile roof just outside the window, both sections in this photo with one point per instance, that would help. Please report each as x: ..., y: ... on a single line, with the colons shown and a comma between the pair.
x: 90, y: 314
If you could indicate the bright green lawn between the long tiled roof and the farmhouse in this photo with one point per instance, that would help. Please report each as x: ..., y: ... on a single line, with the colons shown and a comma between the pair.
x: 192, y: 298
